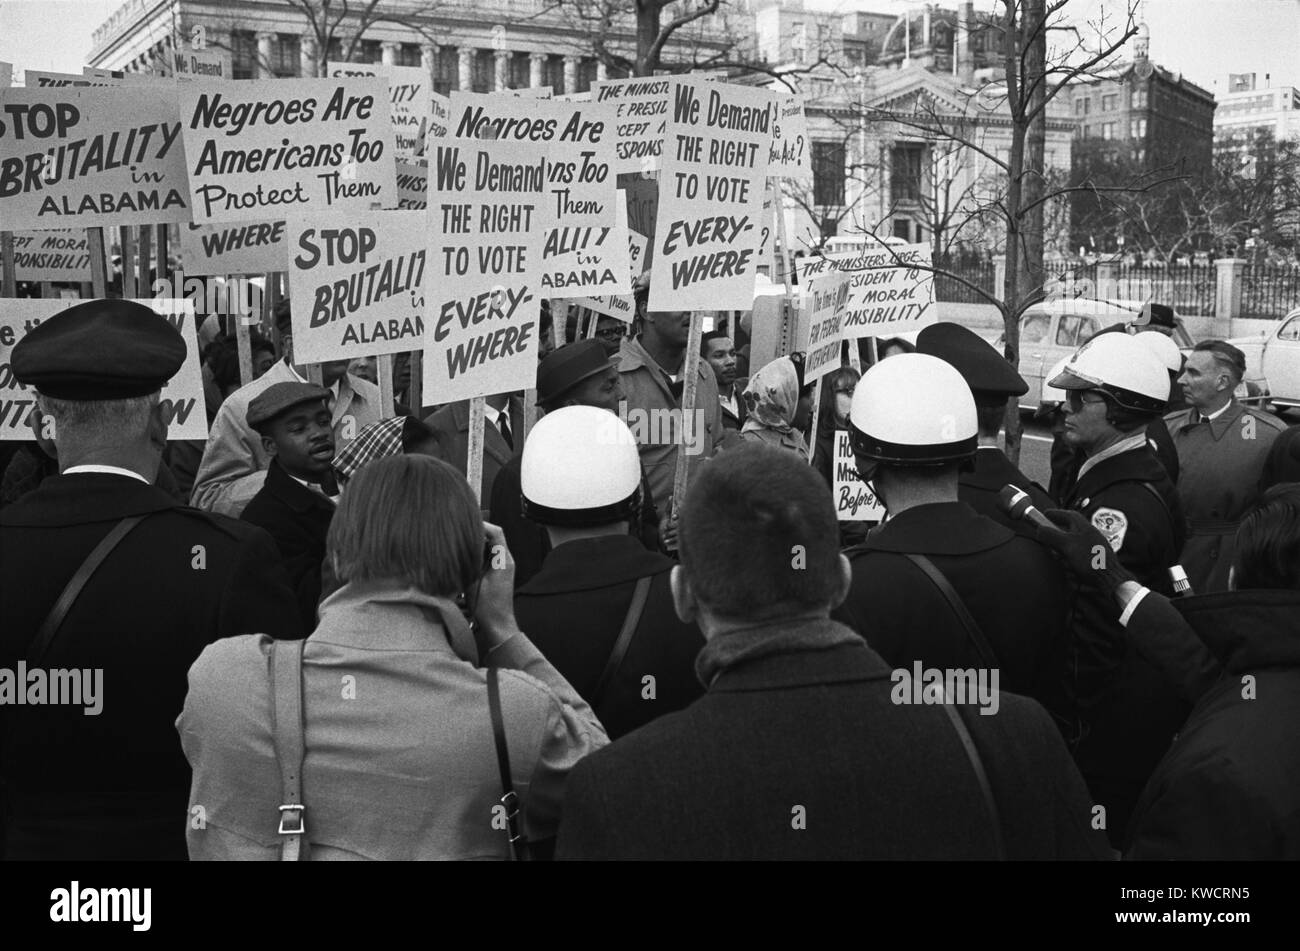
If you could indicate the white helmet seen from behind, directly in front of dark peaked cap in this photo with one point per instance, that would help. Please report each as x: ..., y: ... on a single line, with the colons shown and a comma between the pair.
x: 913, y: 410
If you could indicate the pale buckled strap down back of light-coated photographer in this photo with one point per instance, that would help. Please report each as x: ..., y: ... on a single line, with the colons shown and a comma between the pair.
x: 287, y: 701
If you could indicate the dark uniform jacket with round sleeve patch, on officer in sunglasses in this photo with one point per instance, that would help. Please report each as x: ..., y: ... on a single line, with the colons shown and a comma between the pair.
x: 1129, y: 710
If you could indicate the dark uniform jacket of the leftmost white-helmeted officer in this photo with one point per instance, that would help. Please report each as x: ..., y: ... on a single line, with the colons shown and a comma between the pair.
x: 574, y: 609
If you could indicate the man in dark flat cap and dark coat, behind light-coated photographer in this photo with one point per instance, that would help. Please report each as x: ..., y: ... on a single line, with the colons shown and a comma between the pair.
x: 296, y: 505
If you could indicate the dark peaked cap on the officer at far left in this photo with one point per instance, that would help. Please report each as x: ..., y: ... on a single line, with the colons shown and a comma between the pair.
x: 99, y: 350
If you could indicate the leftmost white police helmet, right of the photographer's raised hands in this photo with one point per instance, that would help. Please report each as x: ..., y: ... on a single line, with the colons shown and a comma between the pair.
x: 580, y: 468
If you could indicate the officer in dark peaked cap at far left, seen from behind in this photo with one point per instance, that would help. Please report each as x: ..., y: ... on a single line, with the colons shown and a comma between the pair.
x: 109, y: 580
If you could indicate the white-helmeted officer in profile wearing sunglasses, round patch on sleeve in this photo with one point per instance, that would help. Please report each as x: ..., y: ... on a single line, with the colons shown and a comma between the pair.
x: 1115, y: 388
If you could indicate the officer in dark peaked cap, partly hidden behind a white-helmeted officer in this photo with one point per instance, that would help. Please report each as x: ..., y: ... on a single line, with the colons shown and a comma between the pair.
x: 993, y: 381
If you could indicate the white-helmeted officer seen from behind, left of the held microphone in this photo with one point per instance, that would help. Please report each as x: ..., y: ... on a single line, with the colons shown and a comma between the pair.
x: 939, y: 583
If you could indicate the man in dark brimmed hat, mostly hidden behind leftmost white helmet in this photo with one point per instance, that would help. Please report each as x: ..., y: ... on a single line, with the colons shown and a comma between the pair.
x: 577, y: 375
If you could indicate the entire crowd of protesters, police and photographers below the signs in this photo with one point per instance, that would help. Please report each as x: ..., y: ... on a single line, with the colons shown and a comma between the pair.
x: 319, y: 641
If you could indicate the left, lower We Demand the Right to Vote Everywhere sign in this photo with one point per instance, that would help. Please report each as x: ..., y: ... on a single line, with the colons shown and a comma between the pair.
x: 484, y: 276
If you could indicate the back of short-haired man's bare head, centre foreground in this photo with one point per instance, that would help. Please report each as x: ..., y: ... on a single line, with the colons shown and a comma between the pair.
x: 760, y: 539
